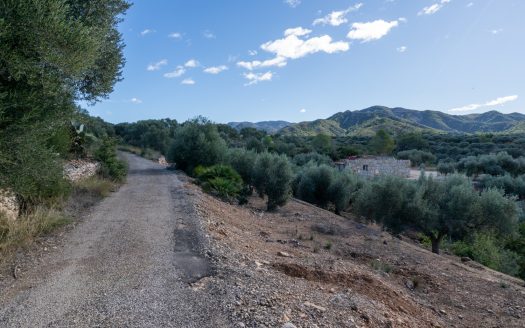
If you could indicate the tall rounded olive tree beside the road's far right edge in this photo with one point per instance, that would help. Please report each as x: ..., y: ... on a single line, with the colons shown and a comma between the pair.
x: 197, y: 142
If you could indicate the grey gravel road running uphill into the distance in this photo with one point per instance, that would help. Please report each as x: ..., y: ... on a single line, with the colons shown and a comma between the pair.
x: 128, y: 264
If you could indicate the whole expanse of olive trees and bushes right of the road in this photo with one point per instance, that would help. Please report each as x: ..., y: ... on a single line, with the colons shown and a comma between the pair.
x: 475, y: 209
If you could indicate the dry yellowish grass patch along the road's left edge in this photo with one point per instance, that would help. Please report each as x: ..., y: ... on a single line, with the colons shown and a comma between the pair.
x: 21, y: 232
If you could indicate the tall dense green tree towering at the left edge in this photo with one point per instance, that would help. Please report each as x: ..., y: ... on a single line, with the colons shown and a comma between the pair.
x: 54, y: 52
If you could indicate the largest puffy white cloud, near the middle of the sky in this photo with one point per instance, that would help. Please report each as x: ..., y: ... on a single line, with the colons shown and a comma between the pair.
x: 293, y: 47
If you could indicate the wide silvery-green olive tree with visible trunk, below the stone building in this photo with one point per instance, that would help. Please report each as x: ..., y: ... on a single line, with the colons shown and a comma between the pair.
x: 436, y: 208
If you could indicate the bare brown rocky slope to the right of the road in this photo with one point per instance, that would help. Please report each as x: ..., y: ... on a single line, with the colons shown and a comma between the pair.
x: 305, y: 267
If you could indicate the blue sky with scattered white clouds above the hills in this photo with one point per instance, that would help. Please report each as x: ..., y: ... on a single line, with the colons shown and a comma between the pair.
x: 239, y: 60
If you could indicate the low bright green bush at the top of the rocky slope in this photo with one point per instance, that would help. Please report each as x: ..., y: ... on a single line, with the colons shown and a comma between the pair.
x: 220, y: 180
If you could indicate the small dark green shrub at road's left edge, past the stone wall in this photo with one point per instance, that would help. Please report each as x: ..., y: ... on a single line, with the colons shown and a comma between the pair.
x: 111, y: 167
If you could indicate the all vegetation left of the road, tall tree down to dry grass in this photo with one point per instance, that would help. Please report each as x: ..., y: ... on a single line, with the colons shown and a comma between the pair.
x: 54, y: 54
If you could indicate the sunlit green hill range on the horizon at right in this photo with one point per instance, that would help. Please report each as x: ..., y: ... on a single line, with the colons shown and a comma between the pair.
x: 367, y: 121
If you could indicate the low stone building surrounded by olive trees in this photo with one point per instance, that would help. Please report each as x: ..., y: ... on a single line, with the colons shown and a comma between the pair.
x: 374, y: 165
